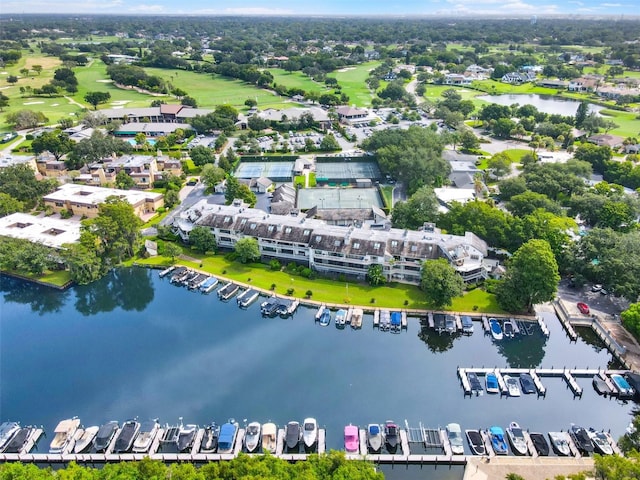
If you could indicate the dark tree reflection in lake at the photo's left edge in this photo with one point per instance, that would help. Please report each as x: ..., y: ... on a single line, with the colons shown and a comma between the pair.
x: 41, y: 299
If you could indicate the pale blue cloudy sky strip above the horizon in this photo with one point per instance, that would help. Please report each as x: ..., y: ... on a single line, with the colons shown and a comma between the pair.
x: 410, y: 8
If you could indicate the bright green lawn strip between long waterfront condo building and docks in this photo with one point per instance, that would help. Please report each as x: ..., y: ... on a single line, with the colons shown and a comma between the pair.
x: 325, y: 290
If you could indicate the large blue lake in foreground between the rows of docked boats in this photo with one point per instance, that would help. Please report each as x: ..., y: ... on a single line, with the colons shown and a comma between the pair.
x: 133, y: 344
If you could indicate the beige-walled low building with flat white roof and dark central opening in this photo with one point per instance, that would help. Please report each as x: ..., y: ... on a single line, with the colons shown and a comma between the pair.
x: 84, y: 200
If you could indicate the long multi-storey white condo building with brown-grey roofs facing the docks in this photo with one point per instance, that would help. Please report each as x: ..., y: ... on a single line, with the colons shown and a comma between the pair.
x: 333, y: 249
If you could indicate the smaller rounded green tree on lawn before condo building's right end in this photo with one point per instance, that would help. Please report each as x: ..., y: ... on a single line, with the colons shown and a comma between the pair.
x: 440, y: 283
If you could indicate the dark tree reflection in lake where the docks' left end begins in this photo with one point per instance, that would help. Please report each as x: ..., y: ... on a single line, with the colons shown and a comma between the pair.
x: 127, y: 288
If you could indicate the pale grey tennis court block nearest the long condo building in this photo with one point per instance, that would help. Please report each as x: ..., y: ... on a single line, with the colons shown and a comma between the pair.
x: 326, y: 198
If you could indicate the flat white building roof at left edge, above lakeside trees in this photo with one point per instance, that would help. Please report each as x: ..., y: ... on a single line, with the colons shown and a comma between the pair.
x: 50, y: 231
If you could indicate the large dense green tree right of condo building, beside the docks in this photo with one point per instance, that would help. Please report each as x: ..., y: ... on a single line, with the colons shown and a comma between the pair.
x: 532, y: 277
